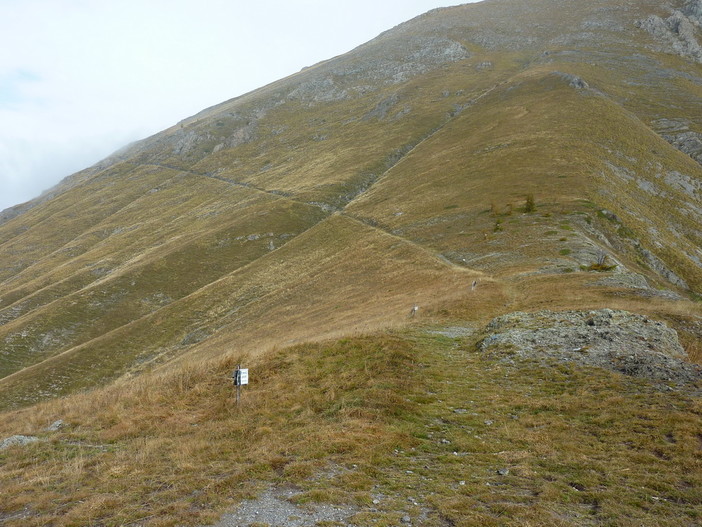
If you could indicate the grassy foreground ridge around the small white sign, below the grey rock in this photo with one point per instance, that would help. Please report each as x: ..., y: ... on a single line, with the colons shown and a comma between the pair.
x: 415, y: 420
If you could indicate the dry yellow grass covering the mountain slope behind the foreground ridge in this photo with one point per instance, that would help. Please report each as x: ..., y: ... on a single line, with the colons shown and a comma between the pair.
x: 222, y: 254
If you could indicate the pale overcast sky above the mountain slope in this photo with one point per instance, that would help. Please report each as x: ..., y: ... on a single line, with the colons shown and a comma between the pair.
x: 81, y: 78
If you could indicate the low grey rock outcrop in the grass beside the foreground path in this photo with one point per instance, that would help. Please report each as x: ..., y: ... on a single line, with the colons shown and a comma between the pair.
x: 615, y: 340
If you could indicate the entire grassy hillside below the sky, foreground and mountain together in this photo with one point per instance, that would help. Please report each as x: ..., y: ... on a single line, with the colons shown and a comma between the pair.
x: 463, y: 263
